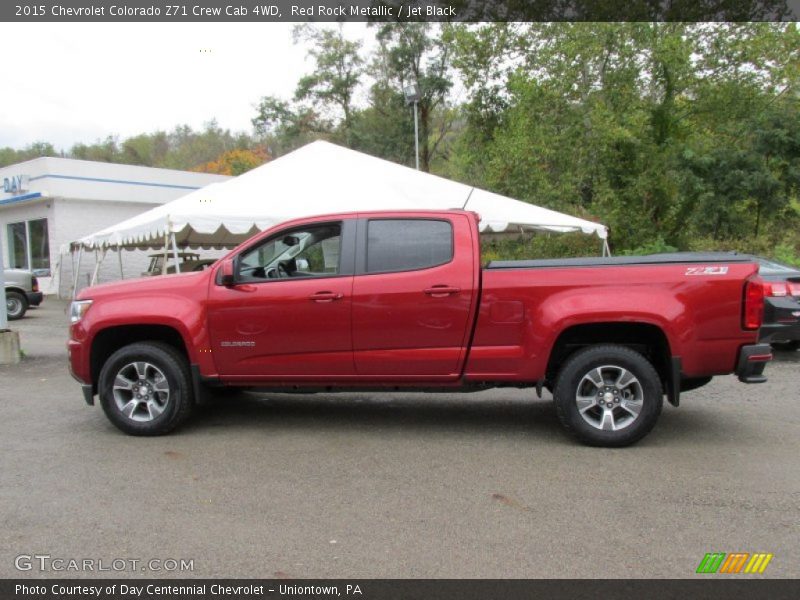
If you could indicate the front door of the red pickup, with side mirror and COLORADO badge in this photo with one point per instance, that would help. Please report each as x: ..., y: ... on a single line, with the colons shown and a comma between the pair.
x: 288, y: 312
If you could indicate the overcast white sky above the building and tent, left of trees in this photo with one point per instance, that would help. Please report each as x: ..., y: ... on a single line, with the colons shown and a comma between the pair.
x: 68, y: 83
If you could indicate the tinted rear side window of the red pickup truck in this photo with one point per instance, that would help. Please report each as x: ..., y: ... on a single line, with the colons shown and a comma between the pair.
x: 408, y: 244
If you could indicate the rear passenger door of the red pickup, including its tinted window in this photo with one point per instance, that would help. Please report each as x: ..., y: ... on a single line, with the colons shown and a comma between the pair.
x: 412, y: 295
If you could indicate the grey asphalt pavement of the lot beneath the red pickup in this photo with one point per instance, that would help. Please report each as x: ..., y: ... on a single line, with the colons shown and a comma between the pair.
x: 385, y: 485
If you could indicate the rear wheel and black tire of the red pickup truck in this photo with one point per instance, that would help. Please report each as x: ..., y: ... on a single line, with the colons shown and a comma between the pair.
x: 642, y: 394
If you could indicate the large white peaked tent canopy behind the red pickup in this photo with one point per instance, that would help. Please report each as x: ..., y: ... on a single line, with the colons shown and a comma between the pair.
x: 319, y: 178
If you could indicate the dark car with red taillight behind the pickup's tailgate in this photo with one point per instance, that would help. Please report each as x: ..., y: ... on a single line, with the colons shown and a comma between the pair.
x: 781, y: 326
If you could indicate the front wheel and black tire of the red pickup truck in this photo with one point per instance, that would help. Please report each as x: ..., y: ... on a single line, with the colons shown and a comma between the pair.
x: 163, y: 379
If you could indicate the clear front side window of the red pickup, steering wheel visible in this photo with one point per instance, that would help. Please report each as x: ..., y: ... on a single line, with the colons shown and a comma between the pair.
x: 307, y: 252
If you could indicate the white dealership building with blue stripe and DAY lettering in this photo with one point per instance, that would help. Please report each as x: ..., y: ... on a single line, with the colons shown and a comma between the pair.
x: 48, y: 202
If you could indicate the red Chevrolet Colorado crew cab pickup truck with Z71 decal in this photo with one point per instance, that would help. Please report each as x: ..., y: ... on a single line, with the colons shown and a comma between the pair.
x: 398, y: 300
